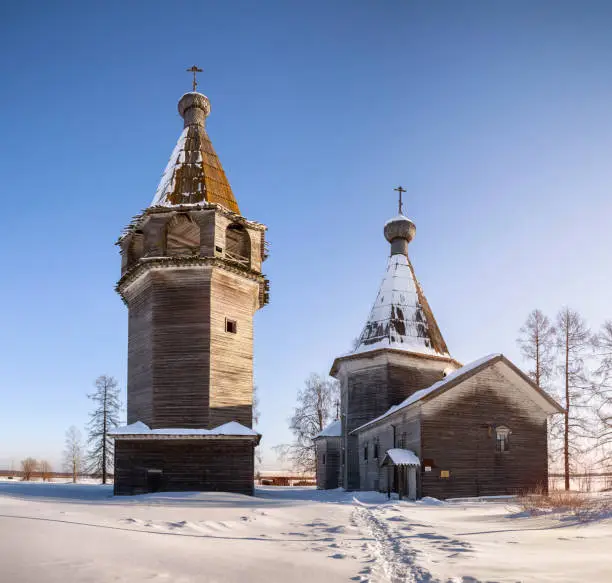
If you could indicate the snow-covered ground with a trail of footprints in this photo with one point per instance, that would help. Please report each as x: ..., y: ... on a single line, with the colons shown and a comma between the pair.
x: 81, y: 533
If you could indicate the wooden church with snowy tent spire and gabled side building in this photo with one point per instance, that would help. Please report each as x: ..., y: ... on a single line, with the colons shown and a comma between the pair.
x: 414, y: 420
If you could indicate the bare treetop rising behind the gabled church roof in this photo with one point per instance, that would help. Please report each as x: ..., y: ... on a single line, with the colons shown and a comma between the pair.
x: 537, y: 342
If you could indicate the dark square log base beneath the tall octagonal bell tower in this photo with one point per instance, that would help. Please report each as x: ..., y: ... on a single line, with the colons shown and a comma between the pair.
x: 173, y: 465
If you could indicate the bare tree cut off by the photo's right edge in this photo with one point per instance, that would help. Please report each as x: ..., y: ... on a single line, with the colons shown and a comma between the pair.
x: 602, y: 343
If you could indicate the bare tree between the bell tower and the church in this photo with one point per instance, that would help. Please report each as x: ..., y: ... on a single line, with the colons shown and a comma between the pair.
x: 317, y: 405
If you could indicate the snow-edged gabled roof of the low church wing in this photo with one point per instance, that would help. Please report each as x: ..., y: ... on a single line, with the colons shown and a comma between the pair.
x: 457, y: 377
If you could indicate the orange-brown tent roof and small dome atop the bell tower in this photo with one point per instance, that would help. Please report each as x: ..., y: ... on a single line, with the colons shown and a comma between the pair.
x: 194, y: 174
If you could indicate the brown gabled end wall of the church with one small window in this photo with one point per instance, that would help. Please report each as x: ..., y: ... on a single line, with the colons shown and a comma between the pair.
x: 458, y: 435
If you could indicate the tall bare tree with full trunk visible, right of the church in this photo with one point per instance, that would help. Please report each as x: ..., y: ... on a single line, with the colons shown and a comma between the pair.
x: 573, y: 339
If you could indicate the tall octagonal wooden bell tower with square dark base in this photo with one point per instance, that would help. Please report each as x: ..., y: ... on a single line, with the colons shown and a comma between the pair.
x: 191, y: 279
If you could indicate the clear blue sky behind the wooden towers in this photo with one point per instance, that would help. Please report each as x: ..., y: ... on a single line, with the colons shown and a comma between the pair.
x: 496, y: 116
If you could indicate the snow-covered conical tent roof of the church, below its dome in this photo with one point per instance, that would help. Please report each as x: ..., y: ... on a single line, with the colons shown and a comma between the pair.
x: 400, y: 317
